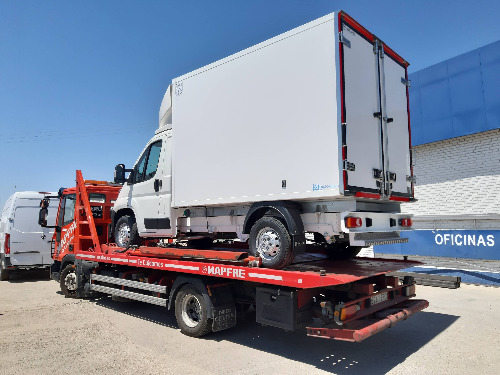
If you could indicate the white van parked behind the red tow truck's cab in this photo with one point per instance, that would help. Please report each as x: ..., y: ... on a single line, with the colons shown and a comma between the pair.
x: 23, y: 242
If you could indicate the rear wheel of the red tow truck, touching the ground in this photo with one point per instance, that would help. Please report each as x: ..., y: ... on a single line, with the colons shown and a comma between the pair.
x: 191, y: 312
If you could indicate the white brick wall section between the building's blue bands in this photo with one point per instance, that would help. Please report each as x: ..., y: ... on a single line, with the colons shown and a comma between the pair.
x: 458, y: 183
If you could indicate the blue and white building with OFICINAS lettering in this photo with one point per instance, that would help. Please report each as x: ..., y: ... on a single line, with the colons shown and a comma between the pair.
x: 455, y: 121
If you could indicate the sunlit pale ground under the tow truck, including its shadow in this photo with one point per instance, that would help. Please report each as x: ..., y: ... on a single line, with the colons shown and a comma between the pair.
x: 41, y: 332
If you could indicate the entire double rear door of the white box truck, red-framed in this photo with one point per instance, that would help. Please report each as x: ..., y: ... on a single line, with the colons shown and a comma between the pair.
x: 375, y: 115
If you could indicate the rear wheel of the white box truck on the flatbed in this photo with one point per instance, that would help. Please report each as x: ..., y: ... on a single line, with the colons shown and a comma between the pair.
x: 270, y: 240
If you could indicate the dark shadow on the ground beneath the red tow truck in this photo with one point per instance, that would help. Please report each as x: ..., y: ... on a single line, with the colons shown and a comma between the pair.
x: 376, y: 355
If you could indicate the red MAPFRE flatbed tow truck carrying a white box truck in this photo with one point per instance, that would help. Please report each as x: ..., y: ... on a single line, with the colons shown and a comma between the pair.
x: 348, y: 300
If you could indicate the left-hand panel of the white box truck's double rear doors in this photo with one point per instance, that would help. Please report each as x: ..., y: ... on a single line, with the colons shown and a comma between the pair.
x: 362, y: 137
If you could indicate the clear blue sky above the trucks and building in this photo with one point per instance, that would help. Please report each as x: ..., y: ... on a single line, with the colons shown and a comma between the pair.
x: 81, y: 82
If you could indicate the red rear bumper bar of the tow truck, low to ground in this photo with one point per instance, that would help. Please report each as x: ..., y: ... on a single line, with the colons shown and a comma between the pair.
x: 360, y: 330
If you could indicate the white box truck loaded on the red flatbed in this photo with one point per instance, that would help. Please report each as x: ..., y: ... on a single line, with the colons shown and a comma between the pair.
x: 303, y: 136
